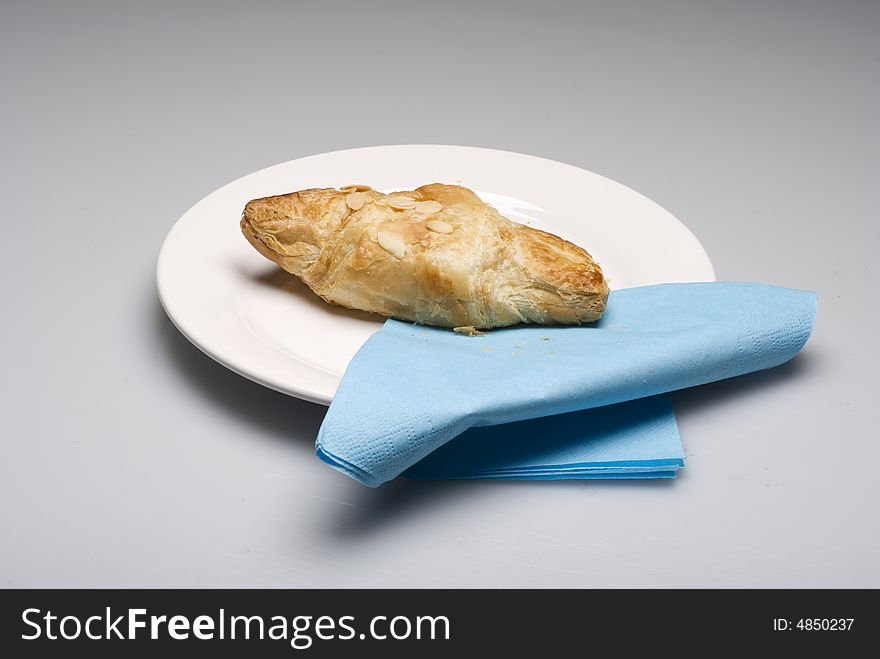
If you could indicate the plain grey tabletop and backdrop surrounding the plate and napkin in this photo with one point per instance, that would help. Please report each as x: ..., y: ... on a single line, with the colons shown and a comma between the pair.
x: 130, y: 459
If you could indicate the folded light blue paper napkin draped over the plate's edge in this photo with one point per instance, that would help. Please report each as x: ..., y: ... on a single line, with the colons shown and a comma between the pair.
x: 411, y: 389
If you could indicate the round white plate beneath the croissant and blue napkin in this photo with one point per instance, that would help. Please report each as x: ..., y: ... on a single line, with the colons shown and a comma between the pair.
x: 257, y: 320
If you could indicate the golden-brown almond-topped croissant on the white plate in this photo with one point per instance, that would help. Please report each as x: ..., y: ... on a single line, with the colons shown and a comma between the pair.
x: 436, y: 255
